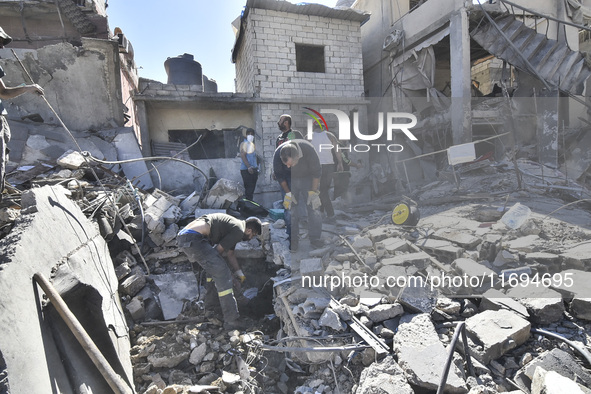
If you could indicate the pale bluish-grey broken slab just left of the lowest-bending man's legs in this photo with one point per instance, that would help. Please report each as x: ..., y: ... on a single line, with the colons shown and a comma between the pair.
x: 175, y: 290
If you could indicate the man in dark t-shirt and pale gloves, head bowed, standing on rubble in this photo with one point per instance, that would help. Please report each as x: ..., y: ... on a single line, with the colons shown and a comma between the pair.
x: 298, y: 159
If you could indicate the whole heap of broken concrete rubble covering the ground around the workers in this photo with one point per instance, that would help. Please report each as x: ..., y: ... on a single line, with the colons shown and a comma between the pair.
x: 389, y: 336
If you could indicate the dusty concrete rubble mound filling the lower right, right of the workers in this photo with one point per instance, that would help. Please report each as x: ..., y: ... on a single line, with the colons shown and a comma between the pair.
x: 511, y: 284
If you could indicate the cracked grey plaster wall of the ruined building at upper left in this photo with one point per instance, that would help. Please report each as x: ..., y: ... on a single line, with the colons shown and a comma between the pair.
x: 82, y: 84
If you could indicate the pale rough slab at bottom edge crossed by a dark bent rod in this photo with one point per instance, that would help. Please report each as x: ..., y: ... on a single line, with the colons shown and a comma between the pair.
x: 422, y: 355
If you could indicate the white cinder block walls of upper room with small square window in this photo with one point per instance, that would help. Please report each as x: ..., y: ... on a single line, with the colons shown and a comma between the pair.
x: 266, y: 64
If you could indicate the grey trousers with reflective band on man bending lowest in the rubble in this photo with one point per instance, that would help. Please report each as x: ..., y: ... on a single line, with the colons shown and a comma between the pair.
x: 198, y: 249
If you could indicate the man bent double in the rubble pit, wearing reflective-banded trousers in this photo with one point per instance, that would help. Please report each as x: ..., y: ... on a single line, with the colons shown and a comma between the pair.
x: 204, y: 240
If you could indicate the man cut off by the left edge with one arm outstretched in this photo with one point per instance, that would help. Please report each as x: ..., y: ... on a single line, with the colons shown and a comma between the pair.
x: 8, y: 93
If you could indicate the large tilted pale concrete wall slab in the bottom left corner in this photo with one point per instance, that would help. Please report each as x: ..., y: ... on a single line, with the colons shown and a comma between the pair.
x: 53, y: 237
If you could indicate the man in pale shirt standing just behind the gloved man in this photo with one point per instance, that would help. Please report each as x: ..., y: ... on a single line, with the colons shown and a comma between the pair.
x: 322, y: 140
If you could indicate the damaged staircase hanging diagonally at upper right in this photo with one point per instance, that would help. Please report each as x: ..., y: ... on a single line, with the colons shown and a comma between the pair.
x: 551, y: 60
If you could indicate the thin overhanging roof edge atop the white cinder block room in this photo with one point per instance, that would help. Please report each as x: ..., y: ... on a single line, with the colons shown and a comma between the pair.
x: 344, y: 13
